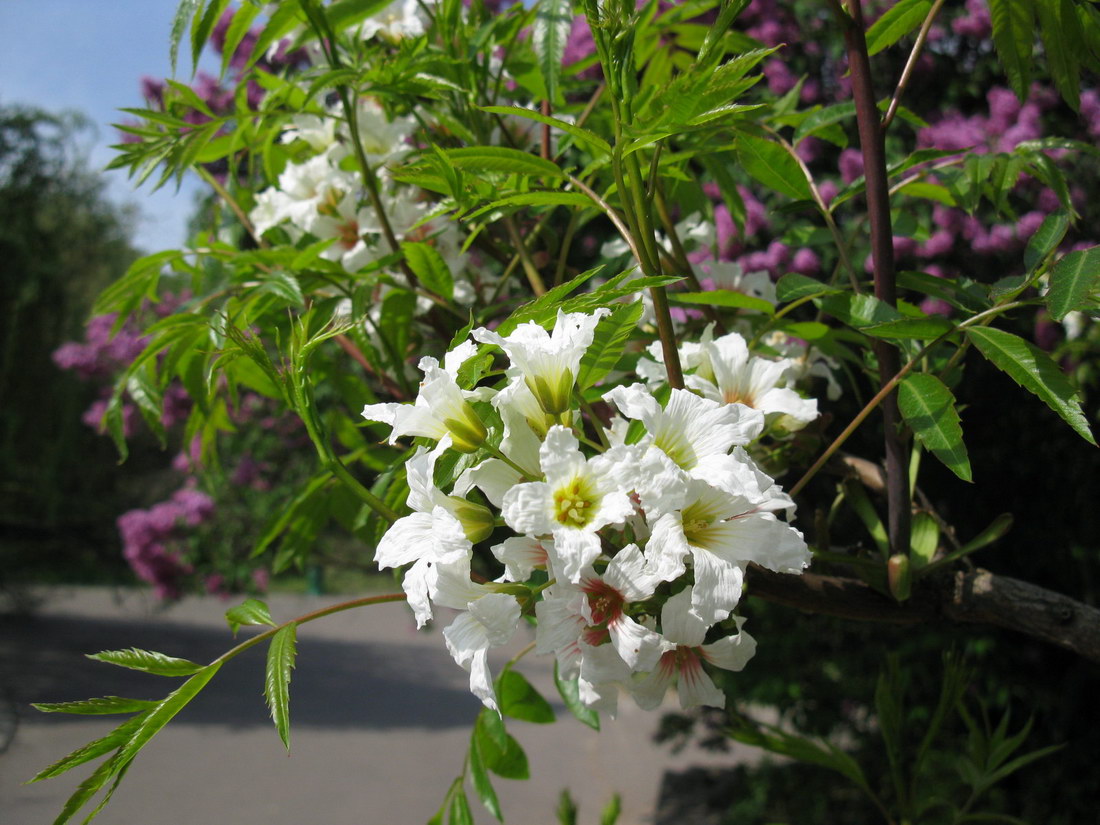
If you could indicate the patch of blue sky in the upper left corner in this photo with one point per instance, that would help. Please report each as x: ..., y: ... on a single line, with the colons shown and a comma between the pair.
x: 90, y: 56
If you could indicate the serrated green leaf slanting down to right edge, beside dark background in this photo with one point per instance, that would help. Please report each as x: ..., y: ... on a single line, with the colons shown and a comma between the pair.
x: 1035, y: 371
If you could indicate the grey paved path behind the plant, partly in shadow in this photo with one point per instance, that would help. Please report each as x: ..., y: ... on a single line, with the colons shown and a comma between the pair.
x: 380, y: 723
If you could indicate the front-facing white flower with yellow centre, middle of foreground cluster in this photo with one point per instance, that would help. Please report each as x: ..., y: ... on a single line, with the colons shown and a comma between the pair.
x: 578, y: 499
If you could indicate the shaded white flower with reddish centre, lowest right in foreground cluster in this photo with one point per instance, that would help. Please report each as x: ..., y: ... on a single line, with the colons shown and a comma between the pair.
x: 684, y: 659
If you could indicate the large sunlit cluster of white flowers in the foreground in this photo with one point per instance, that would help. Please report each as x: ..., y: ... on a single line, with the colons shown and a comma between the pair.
x: 631, y: 554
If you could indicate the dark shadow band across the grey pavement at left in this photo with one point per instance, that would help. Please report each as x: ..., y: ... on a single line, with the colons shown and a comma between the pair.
x: 345, y: 685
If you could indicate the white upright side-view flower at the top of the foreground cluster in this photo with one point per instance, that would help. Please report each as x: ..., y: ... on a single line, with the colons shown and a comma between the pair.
x: 549, y: 362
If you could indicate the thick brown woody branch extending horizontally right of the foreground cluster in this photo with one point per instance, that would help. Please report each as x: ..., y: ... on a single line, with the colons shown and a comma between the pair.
x: 976, y: 598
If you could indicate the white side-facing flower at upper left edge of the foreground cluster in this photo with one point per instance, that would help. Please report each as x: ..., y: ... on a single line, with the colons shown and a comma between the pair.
x: 441, y: 408
